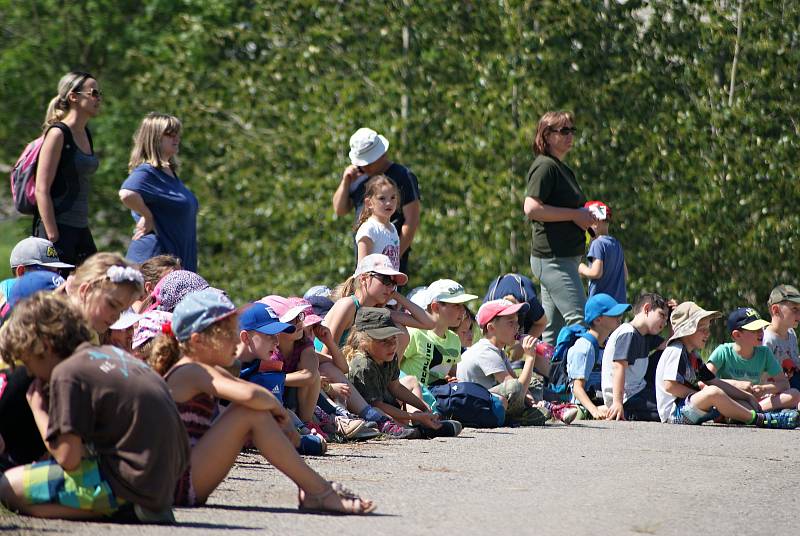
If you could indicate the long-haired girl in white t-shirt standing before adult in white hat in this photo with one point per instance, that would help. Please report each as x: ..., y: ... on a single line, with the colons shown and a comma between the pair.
x: 375, y: 233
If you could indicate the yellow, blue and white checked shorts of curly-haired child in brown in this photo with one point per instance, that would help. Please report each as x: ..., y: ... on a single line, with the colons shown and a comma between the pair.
x: 85, y: 488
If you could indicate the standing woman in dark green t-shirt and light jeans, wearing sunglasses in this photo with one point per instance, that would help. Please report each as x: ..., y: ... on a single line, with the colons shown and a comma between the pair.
x: 554, y: 204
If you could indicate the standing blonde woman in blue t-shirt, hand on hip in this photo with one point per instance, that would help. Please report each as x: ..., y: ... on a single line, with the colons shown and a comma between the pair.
x: 165, y: 210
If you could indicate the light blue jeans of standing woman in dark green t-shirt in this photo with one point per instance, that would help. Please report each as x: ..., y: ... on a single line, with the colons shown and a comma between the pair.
x: 562, y: 296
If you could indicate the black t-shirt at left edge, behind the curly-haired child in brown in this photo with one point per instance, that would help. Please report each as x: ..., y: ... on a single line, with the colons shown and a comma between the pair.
x: 23, y: 442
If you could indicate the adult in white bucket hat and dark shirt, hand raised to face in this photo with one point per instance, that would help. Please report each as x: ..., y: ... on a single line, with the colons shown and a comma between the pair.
x: 368, y: 157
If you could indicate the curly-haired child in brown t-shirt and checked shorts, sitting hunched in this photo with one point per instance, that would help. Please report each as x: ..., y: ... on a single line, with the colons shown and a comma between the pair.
x: 106, y: 418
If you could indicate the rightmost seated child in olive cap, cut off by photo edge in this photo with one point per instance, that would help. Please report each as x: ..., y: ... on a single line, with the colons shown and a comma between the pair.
x: 780, y: 336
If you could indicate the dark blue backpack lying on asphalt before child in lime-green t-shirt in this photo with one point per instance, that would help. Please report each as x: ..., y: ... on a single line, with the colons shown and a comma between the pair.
x: 469, y: 403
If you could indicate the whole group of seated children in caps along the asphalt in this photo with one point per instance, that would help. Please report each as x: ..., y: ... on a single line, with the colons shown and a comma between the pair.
x: 196, y: 379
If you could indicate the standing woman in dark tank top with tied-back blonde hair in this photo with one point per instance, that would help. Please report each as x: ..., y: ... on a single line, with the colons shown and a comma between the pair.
x: 66, y: 165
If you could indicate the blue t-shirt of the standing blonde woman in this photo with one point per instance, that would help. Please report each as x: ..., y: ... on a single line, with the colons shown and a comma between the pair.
x: 174, y: 209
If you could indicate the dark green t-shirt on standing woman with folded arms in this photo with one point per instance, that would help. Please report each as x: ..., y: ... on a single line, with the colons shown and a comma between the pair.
x: 553, y: 183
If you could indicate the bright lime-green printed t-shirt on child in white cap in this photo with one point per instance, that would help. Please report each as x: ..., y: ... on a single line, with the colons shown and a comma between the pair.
x: 430, y: 357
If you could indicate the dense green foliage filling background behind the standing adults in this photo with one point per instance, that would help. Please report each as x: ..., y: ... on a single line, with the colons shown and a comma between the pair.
x: 688, y: 116
